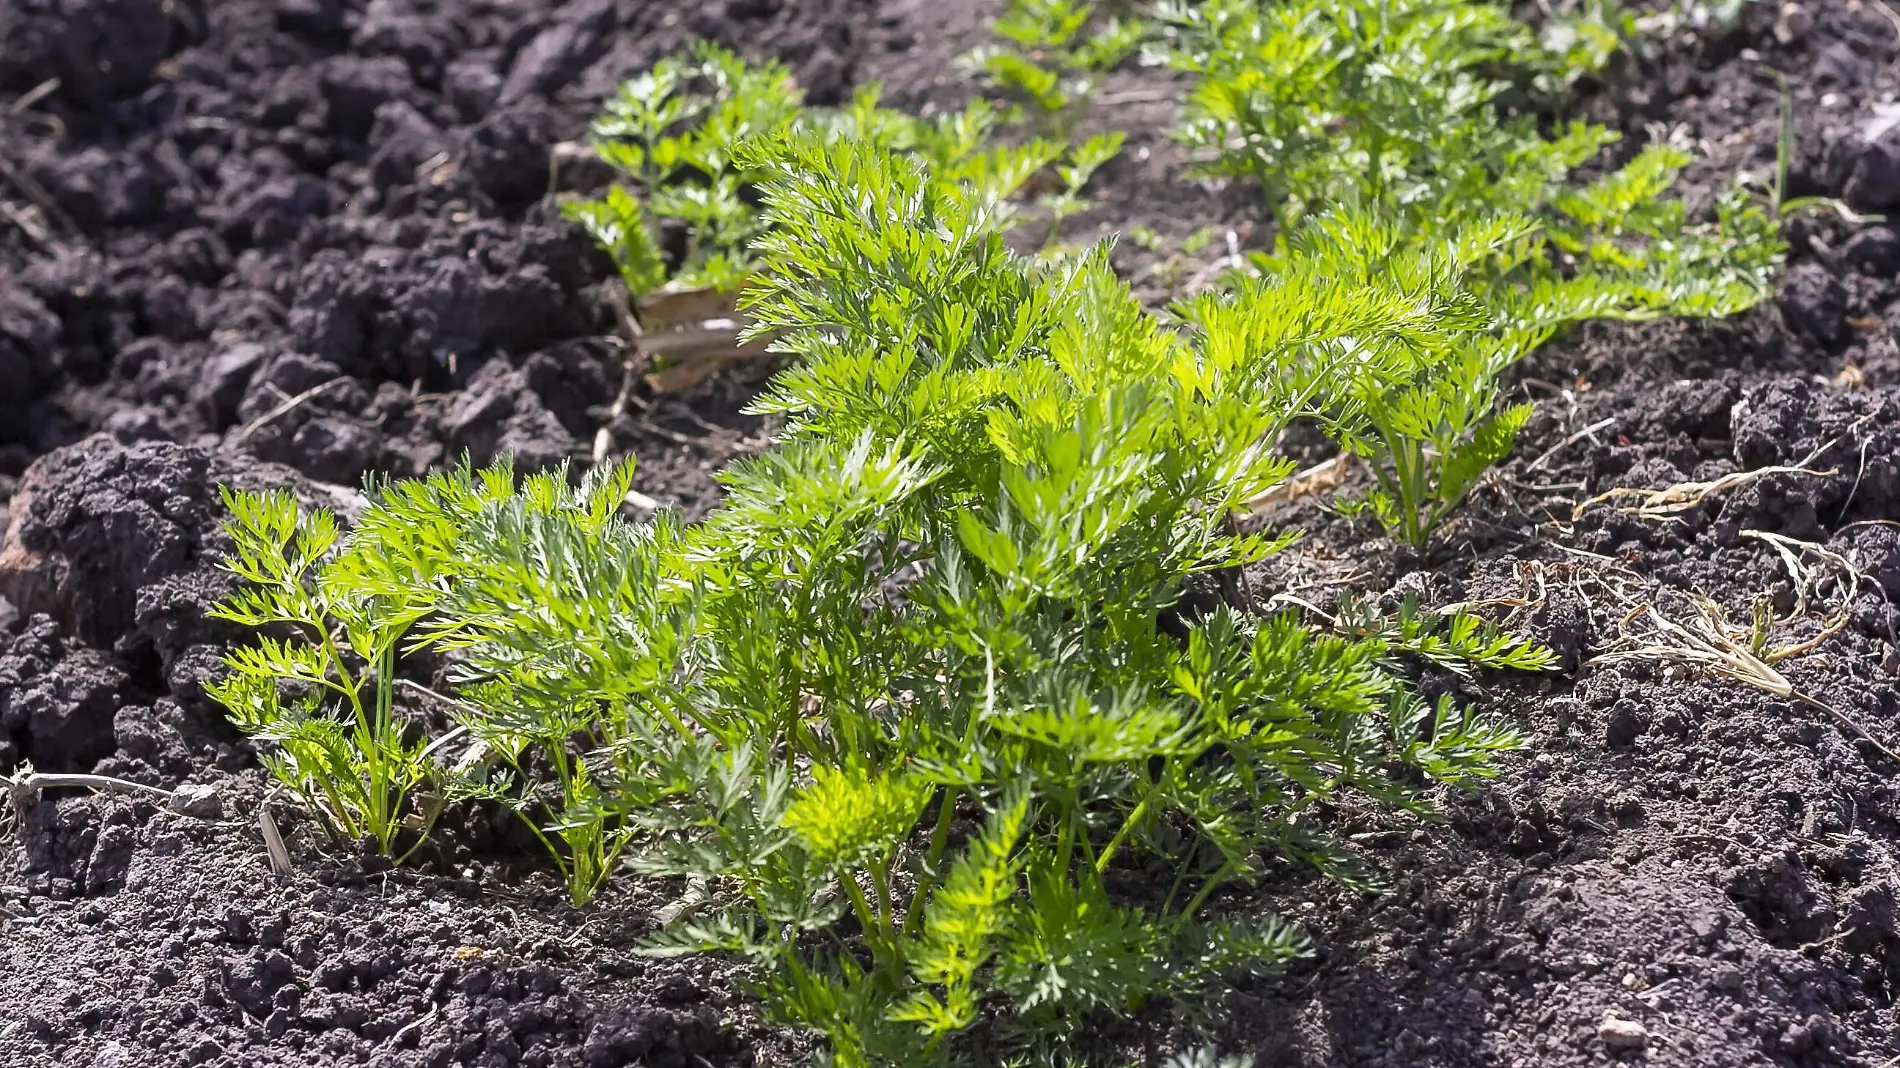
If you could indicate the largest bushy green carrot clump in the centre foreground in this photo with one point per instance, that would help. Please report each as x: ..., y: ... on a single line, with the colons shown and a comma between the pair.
x: 921, y: 702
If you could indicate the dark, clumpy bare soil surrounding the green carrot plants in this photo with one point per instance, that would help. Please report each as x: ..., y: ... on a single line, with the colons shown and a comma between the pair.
x: 282, y: 244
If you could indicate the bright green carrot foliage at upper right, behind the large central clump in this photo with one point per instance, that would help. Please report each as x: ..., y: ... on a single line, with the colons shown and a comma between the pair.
x: 1409, y: 124
